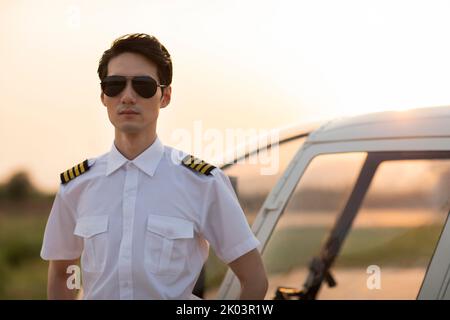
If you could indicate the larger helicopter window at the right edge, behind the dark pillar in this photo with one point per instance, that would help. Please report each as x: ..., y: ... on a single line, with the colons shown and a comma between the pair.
x: 388, y: 249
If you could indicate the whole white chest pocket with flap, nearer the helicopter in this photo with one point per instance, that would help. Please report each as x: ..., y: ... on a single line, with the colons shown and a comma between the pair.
x: 167, y: 244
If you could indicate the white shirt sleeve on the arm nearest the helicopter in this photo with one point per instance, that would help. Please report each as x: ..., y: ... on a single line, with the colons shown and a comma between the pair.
x: 224, y: 223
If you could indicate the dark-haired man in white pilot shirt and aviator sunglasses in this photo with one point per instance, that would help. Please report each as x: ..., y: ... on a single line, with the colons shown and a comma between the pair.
x: 142, y: 216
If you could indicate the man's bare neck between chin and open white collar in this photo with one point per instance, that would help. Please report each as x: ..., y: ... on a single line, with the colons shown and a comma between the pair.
x: 130, y: 146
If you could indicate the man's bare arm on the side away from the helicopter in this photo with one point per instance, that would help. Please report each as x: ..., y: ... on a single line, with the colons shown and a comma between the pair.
x: 57, y: 288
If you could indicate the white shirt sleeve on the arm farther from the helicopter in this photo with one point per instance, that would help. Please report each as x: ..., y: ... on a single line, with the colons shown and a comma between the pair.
x: 59, y: 241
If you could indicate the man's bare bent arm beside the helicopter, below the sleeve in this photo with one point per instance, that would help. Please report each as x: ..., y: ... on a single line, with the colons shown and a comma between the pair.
x: 250, y: 271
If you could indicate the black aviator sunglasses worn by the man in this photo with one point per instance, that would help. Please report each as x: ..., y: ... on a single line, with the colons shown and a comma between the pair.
x: 143, y: 85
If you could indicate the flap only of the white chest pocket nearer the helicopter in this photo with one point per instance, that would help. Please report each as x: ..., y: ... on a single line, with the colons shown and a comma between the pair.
x: 170, y: 227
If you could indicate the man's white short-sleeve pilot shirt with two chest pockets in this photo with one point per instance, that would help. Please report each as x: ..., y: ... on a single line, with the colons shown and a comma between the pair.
x: 143, y: 227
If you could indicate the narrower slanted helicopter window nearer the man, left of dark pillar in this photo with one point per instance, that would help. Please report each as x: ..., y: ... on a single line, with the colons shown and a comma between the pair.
x: 310, y: 213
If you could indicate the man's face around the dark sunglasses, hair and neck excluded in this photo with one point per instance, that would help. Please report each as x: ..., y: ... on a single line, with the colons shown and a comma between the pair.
x: 128, y: 111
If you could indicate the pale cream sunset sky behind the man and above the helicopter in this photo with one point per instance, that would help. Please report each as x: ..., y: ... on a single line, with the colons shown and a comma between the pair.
x: 237, y: 64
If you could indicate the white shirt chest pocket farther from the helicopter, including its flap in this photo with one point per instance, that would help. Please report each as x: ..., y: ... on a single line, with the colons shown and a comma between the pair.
x: 93, y: 230
